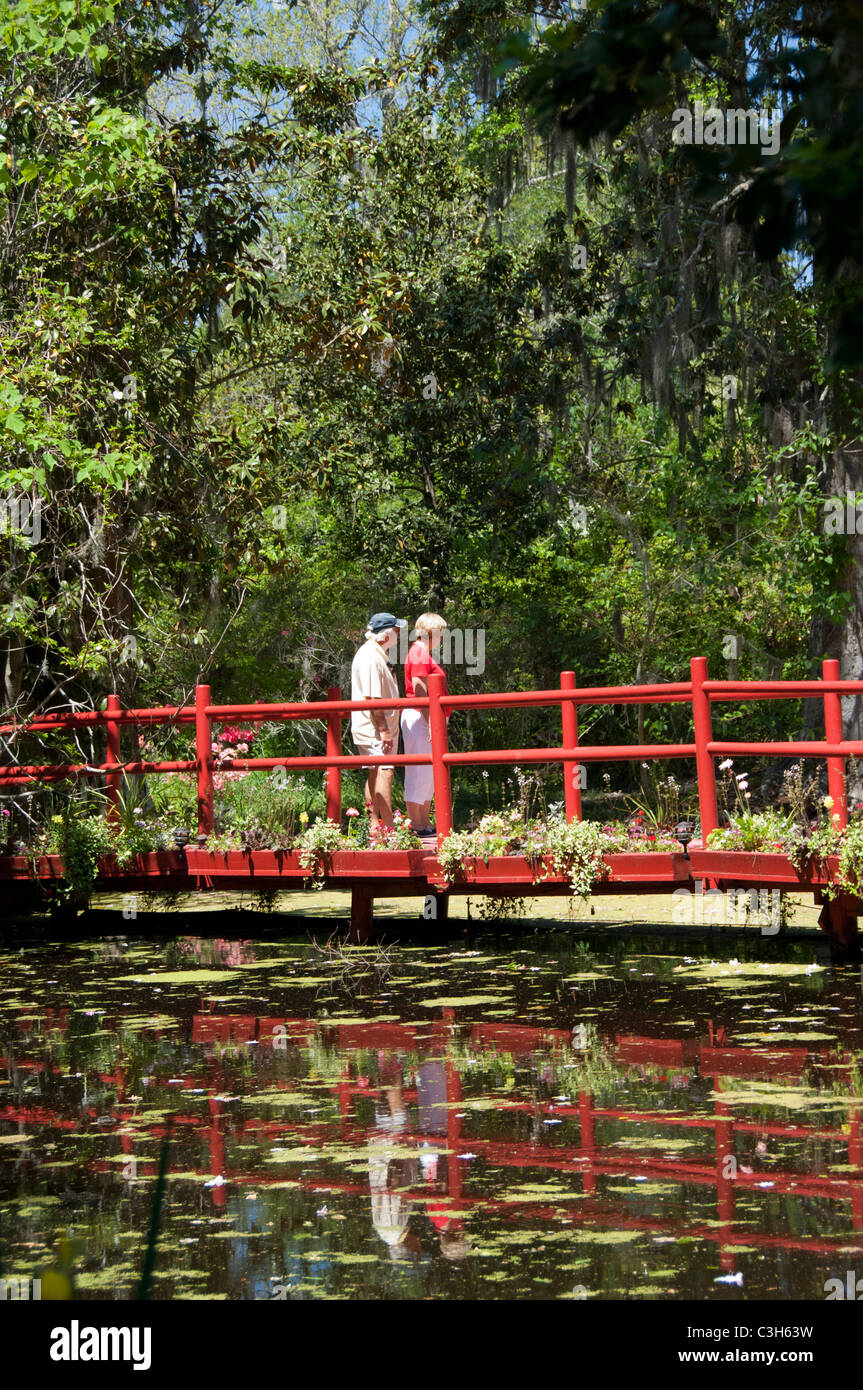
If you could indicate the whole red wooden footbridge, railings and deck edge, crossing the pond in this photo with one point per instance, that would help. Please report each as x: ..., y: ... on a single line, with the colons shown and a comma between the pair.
x: 376, y: 874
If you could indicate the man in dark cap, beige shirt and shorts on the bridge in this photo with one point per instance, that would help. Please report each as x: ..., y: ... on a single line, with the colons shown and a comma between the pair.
x: 376, y: 732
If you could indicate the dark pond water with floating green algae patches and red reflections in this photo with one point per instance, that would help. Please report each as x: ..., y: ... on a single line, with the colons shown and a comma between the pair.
x: 541, y: 1120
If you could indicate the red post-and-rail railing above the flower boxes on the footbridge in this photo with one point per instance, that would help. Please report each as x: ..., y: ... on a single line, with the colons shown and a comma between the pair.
x: 698, y: 692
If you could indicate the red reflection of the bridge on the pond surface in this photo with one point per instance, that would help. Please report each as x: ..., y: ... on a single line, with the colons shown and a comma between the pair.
x: 711, y: 1060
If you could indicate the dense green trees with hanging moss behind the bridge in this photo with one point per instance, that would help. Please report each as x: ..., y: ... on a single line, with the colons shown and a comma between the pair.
x: 315, y: 309
